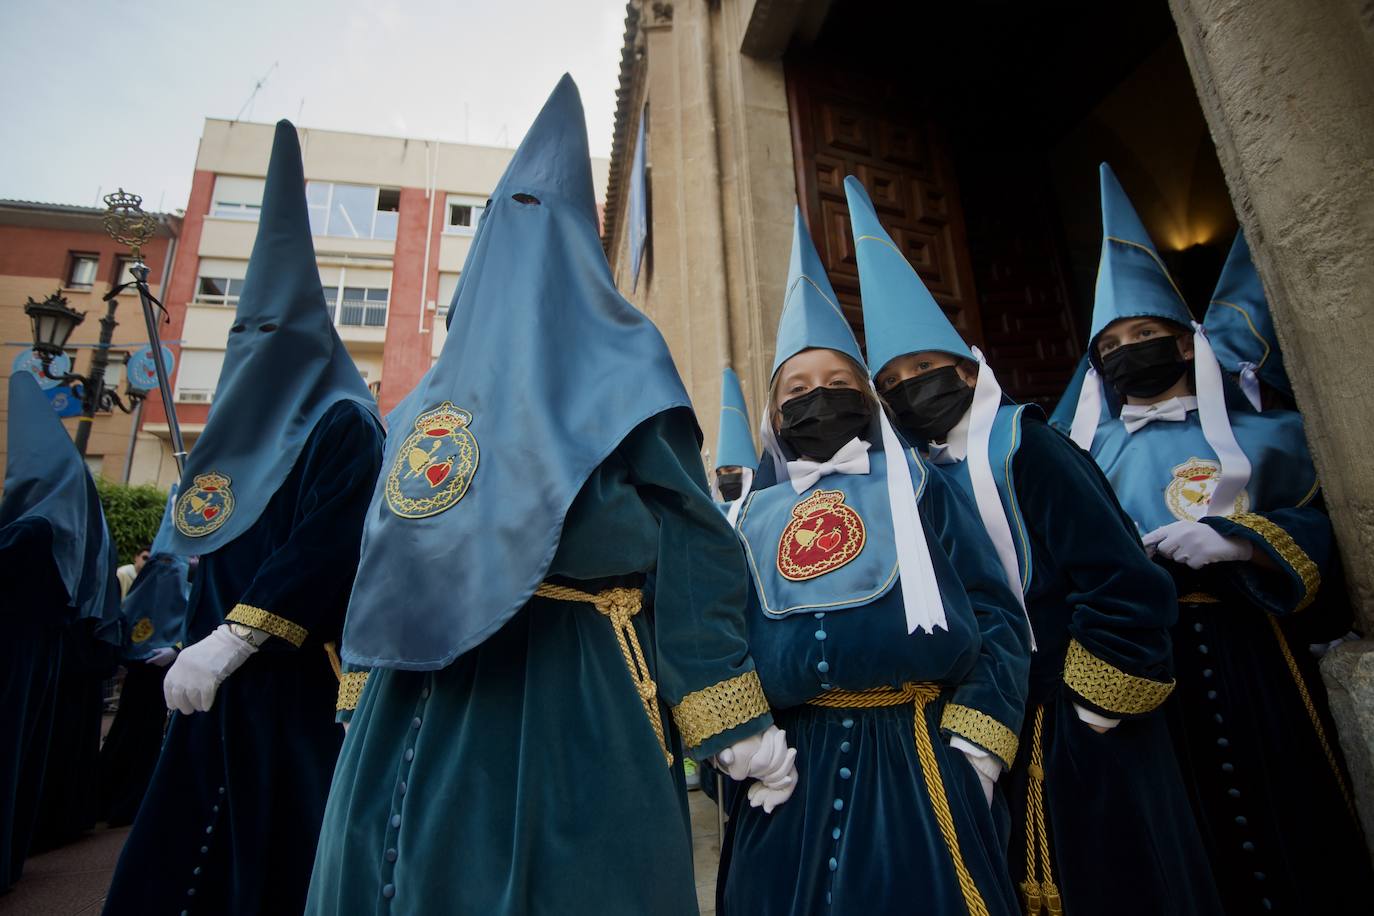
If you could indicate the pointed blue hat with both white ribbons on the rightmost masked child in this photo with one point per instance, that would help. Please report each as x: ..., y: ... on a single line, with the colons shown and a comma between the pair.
x: 1133, y: 282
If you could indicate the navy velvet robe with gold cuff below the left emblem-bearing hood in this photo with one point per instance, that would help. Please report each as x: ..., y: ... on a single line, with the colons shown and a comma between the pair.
x: 232, y: 819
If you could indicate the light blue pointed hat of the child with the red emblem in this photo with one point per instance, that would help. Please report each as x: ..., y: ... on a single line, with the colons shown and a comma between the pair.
x: 811, y: 314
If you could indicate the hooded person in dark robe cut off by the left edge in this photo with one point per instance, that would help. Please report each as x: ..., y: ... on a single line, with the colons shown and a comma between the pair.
x: 61, y: 602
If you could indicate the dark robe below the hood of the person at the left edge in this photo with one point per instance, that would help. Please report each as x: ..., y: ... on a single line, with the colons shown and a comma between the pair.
x: 34, y: 612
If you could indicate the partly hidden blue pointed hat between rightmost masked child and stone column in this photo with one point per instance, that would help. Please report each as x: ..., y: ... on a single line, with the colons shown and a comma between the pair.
x: 1239, y: 322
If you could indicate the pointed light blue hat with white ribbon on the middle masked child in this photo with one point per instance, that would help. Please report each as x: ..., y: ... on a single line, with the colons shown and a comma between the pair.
x: 901, y: 317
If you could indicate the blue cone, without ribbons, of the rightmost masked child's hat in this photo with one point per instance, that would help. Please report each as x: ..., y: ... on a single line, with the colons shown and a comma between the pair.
x: 1133, y: 281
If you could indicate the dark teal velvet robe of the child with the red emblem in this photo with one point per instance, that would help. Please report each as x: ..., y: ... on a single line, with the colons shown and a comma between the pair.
x: 859, y: 834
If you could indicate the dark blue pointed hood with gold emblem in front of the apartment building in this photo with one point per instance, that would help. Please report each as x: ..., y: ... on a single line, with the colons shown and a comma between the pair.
x: 284, y: 369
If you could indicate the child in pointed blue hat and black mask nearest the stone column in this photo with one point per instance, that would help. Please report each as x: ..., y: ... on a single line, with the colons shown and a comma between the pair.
x: 1229, y: 505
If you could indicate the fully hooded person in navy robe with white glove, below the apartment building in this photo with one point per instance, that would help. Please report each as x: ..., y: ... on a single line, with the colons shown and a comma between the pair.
x: 273, y: 501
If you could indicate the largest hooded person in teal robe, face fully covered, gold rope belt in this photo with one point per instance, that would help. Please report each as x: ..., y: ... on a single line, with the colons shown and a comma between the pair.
x: 545, y: 579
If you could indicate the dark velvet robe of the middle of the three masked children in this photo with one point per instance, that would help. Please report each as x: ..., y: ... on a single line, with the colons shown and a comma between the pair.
x: 1116, y: 807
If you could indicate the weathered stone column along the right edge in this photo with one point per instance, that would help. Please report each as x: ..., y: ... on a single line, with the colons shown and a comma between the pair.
x: 1288, y: 90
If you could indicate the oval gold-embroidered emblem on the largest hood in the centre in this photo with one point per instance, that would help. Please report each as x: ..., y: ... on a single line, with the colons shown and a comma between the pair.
x: 435, y: 466
